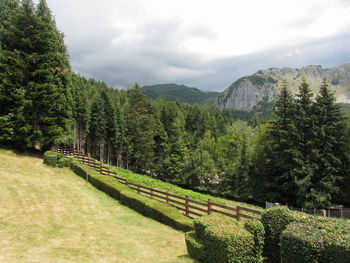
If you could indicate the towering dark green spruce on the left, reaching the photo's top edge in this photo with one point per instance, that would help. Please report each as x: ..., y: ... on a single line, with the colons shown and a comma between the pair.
x: 38, y: 79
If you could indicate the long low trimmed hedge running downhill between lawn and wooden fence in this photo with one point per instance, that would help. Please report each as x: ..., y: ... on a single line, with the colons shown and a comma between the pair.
x: 142, y: 204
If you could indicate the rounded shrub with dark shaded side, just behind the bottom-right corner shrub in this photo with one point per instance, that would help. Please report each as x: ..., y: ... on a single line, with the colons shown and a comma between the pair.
x: 275, y: 221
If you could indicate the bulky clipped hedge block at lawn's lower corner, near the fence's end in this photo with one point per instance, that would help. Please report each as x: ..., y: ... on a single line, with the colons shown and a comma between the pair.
x: 223, y: 239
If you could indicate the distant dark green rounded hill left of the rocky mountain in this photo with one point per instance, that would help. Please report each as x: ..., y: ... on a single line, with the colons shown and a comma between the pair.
x: 174, y: 92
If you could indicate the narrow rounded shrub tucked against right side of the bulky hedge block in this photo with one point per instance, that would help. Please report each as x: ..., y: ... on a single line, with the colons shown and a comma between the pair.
x: 256, y: 228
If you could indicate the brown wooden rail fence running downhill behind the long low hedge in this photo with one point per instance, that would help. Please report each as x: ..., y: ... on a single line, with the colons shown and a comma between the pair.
x: 191, y: 208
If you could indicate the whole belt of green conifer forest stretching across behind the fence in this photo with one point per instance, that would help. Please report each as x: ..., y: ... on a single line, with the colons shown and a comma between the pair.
x: 296, y: 152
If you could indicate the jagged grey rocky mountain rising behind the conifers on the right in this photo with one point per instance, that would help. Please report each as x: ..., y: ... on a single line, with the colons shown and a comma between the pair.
x: 245, y: 93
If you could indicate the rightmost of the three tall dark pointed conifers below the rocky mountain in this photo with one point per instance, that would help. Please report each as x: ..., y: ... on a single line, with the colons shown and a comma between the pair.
x: 329, y: 152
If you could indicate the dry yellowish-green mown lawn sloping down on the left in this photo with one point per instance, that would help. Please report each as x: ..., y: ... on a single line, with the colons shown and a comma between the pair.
x: 49, y: 215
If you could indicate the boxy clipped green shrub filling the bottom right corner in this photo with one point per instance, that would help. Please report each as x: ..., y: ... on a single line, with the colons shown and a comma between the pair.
x: 319, y: 241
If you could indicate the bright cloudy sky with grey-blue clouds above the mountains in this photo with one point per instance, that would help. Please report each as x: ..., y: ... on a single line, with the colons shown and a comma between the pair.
x: 200, y: 43
